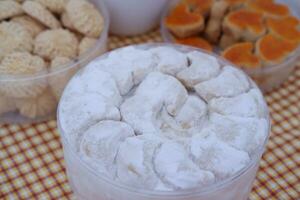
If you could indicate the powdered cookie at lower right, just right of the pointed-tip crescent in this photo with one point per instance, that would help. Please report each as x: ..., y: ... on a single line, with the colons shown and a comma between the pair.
x: 218, y: 157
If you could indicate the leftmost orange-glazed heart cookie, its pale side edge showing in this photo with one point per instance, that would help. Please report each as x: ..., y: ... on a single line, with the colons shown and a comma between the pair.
x: 183, y: 23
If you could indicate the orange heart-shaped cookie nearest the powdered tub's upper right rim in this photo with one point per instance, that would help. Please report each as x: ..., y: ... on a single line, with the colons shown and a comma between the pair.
x: 242, y: 55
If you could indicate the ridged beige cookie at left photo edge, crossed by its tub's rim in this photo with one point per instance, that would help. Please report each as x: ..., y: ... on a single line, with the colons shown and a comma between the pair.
x: 23, y: 64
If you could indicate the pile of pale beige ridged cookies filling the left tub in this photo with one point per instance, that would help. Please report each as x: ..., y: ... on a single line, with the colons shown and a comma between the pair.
x: 38, y: 37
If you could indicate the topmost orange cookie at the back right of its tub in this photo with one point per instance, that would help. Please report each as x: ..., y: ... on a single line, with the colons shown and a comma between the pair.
x: 269, y: 8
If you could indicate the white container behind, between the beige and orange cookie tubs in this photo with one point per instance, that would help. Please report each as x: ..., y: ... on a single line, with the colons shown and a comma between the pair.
x: 133, y: 17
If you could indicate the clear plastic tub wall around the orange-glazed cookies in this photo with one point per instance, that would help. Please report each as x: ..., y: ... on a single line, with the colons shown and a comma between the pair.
x: 268, y: 77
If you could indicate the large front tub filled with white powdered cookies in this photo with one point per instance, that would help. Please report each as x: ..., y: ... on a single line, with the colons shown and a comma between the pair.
x: 175, y: 123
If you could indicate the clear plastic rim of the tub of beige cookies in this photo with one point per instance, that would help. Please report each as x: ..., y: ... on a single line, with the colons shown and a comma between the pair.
x: 78, y: 61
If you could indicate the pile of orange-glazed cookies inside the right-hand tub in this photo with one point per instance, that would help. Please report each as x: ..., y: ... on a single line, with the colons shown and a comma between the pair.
x: 250, y: 33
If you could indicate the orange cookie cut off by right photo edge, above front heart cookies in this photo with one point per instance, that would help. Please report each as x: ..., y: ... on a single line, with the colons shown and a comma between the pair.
x: 286, y: 28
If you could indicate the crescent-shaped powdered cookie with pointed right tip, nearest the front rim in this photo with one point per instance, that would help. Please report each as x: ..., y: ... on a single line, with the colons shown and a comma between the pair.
x: 176, y: 169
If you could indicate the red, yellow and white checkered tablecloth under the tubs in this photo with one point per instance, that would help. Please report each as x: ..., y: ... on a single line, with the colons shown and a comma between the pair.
x: 32, y: 164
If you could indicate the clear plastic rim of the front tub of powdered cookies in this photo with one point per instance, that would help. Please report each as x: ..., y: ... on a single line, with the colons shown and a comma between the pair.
x: 182, y: 193
